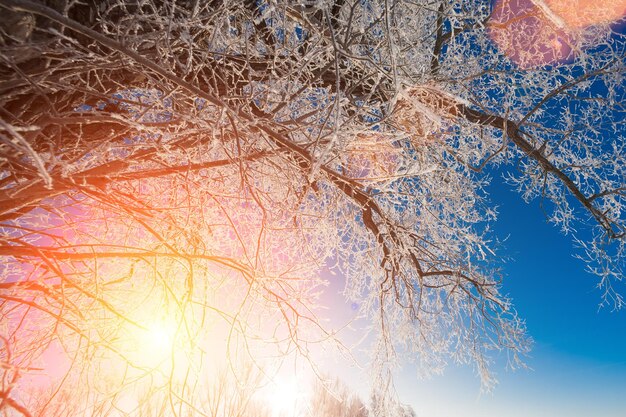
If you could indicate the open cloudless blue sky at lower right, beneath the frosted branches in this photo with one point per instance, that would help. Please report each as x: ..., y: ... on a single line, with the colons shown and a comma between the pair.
x: 579, y: 358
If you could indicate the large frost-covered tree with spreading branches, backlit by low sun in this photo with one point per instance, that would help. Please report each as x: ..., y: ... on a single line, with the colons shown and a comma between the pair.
x: 175, y: 174
